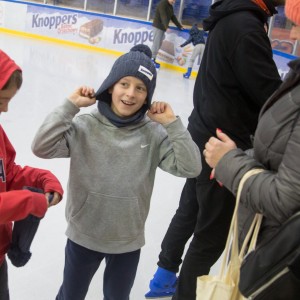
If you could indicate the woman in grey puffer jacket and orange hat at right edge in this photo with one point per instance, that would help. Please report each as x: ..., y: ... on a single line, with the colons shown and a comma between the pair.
x: 275, y: 192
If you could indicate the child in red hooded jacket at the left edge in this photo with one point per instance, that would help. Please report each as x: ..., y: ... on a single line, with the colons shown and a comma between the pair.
x: 15, y: 203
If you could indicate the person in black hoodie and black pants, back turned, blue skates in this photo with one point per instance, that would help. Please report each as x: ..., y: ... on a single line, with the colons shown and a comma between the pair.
x: 237, y: 75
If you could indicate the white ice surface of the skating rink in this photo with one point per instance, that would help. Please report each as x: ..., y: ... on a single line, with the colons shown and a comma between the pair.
x: 51, y: 72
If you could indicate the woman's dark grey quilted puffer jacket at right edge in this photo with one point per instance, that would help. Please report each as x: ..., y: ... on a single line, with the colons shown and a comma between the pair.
x: 275, y: 192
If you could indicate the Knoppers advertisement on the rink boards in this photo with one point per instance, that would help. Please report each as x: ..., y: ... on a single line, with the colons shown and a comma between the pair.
x: 101, y: 31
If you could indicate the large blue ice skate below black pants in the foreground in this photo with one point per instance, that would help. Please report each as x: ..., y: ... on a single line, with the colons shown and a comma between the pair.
x: 162, y: 285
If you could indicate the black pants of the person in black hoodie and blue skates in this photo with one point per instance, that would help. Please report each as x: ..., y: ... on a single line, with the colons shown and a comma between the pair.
x: 205, y: 210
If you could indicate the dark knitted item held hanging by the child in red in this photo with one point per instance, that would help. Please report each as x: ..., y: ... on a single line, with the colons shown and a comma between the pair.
x: 23, y: 235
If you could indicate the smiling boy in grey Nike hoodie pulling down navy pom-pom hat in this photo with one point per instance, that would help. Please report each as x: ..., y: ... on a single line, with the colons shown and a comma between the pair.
x: 114, y: 153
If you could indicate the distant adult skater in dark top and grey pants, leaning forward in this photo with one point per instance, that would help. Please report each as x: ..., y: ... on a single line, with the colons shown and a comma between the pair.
x: 164, y: 13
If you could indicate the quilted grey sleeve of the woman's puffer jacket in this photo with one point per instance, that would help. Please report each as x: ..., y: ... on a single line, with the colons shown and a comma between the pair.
x: 275, y: 194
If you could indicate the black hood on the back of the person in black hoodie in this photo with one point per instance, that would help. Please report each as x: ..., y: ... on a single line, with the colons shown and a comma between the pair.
x: 223, y: 8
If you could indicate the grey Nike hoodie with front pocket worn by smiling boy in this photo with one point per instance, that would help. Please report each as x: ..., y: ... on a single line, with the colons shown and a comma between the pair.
x: 112, y: 172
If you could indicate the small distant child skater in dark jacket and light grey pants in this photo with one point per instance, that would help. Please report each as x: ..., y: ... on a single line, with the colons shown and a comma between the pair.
x: 197, y: 39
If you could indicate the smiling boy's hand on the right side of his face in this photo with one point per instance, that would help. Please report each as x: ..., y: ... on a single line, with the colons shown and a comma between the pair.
x: 161, y: 112
